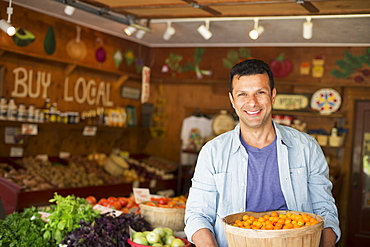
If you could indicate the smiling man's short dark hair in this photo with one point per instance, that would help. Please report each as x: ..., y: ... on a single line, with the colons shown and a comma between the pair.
x: 251, y: 67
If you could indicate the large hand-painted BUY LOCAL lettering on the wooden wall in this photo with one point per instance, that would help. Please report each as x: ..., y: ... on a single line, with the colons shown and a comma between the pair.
x: 36, y: 84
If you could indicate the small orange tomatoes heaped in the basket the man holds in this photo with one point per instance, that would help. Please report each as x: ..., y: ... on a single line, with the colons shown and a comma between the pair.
x: 275, y: 221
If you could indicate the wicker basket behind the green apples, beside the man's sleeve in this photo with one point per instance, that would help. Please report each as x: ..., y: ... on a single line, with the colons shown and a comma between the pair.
x: 164, y: 217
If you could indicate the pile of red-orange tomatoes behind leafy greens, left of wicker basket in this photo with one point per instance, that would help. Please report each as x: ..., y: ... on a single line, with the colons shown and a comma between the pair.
x: 124, y: 204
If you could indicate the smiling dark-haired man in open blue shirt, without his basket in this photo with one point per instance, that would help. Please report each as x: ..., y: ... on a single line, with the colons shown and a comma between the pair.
x: 259, y: 166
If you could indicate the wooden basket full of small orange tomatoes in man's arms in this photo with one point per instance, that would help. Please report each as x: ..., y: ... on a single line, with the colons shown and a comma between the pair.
x: 273, y: 228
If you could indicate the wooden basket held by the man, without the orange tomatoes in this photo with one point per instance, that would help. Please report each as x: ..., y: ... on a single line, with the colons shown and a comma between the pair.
x: 299, y: 237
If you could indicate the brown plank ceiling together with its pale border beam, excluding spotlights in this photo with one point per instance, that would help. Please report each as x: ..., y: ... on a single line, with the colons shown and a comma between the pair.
x: 335, y: 22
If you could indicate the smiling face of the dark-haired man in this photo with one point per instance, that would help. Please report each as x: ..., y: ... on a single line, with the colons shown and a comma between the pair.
x: 252, y: 100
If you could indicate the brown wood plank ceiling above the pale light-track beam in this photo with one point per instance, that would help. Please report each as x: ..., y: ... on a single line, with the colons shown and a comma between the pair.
x: 164, y: 9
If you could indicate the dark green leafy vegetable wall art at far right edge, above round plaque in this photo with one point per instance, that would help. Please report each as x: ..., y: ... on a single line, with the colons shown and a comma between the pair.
x: 351, y: 65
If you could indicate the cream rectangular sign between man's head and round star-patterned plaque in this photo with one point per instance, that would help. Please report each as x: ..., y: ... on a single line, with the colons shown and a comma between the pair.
x: 291, y: 102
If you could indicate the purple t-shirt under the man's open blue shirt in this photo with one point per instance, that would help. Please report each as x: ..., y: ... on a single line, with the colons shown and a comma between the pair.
x: 263, y: 187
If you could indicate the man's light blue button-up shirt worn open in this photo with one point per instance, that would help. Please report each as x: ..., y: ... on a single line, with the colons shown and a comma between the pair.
x: 220, y: 179
